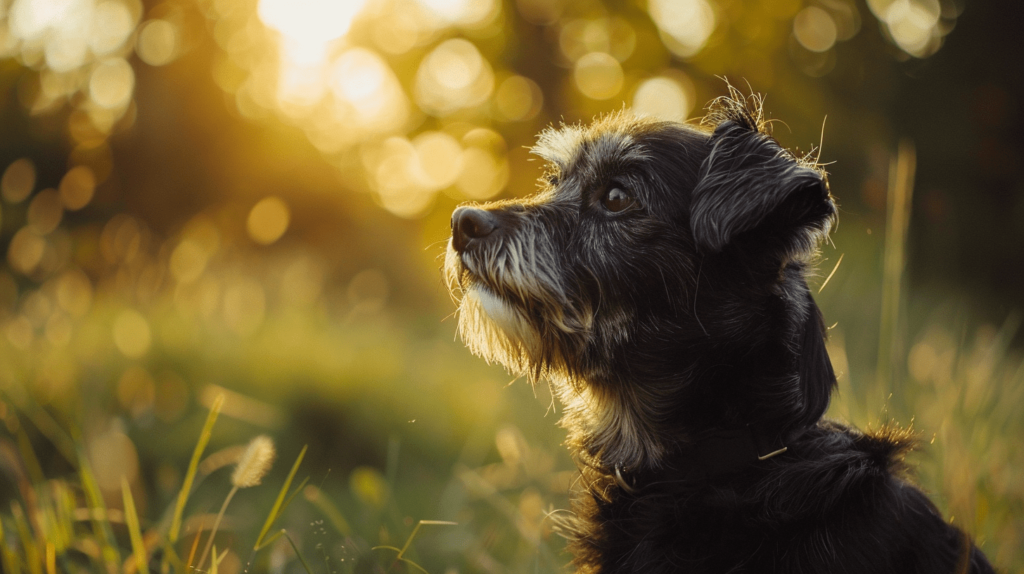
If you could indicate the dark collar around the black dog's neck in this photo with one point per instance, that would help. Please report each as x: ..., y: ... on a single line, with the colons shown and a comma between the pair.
x: 716, y: 456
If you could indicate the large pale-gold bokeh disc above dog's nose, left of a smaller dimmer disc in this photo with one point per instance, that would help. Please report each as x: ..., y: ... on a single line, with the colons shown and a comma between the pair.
x: 452, y: 77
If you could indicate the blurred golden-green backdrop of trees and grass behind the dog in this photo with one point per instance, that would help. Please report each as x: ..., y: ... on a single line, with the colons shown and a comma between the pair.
x: 250, y: 199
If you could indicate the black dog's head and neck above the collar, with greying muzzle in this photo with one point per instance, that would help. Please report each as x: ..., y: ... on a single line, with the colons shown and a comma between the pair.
x: 657, y: 280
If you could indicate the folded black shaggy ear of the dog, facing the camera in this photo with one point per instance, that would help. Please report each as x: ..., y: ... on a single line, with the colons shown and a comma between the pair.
x: 750, y: 183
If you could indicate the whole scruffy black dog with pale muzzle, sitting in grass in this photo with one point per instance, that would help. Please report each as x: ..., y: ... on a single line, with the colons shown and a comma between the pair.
x: 658, y: 282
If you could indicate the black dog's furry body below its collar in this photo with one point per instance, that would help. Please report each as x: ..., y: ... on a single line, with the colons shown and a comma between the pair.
x: 836, y: 504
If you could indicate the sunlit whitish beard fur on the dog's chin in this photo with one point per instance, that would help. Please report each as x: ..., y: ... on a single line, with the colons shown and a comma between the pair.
x: 497, y: 332
